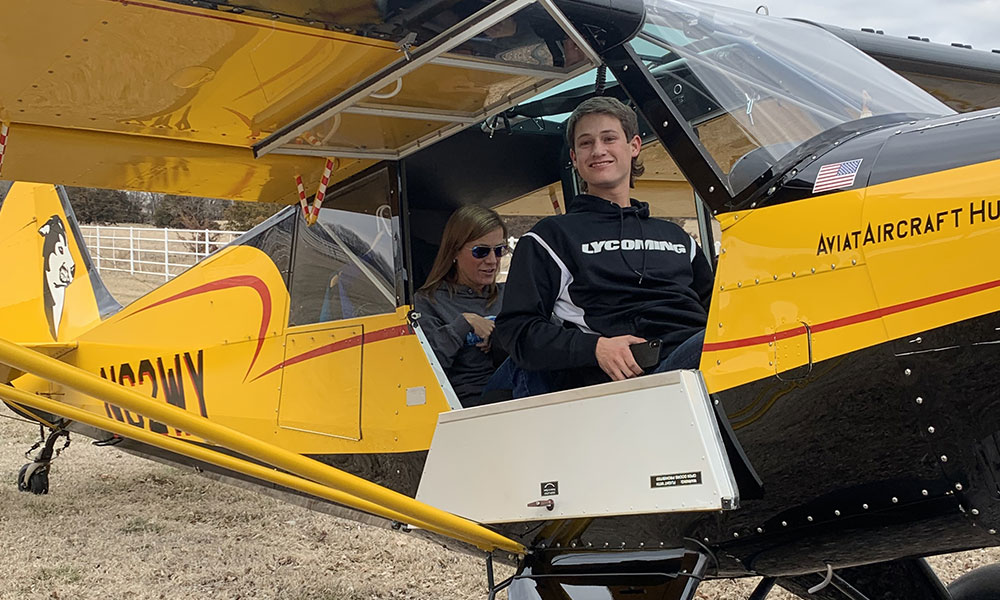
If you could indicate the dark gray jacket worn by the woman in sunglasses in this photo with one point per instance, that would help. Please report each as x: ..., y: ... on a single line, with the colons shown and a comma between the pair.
x: 468, y: 368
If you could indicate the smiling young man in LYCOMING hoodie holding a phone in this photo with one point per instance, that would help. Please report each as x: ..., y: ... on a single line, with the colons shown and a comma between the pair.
x: 586, y: 285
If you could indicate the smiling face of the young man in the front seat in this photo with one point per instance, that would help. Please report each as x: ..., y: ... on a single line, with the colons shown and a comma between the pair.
x: 601, y: 153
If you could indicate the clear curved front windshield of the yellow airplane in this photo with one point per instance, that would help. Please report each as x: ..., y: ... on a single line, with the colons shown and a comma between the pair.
x: 747, y: 82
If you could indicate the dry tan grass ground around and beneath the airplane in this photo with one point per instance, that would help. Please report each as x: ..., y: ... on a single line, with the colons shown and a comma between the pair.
x: 114, y: 525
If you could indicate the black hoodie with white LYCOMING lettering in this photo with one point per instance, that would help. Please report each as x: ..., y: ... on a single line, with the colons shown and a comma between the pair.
x: 601, y: 270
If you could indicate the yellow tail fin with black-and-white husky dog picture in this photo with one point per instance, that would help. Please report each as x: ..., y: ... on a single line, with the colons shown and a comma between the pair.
x: 50, y: 290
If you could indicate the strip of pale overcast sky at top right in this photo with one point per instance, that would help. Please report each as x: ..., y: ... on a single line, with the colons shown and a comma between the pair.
x: 975, y: 22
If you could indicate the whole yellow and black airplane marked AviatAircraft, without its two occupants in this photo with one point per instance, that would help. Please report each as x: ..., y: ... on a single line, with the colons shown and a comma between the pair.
x: 842, y: 423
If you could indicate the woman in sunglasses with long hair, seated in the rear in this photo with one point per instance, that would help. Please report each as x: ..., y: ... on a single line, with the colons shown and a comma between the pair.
x: 461, y: 298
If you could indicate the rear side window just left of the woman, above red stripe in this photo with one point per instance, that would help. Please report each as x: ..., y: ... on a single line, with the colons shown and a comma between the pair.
x: 347, y: 264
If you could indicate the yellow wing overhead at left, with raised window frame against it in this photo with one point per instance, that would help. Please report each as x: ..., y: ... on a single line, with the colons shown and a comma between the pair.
x: 234, y: 99
